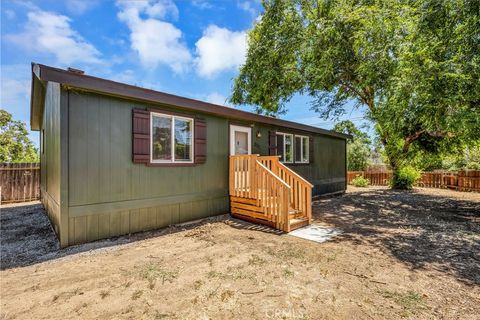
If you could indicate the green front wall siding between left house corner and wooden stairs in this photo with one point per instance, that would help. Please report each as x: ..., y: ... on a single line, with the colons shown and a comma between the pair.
x: 110, y: 195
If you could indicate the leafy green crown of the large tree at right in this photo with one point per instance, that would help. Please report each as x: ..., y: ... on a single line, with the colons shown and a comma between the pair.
x: 414, y: 65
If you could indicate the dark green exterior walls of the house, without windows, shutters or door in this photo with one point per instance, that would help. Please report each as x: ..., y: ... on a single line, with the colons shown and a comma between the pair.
x: 93, y: 190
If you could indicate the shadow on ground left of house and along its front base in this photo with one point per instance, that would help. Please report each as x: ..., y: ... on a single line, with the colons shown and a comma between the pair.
x: 27, y: 237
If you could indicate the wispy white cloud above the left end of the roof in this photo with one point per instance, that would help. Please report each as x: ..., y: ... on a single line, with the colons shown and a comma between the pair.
x: 51, y: 33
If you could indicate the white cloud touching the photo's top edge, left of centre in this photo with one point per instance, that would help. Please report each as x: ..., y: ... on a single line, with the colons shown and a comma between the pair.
x: 155, y: 41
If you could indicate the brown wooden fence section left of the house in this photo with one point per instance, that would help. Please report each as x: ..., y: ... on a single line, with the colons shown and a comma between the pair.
x: 19, y: 182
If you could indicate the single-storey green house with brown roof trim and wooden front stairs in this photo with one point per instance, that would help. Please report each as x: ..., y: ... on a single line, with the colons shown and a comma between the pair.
x: 118, y: 159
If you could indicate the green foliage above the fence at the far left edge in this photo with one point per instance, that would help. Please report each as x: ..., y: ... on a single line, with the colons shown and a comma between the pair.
x: 15, y: 145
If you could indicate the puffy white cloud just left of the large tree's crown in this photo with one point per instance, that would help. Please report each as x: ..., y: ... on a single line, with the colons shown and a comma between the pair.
x: 218, y: 50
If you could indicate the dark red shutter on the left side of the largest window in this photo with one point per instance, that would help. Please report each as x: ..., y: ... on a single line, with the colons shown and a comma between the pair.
x: 141, y: 136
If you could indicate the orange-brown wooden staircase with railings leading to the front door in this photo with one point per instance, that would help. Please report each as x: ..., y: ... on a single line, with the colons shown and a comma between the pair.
x: 263, y: 190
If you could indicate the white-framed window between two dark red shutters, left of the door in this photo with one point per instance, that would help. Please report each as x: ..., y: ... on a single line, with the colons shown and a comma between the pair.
x: 171, y: 138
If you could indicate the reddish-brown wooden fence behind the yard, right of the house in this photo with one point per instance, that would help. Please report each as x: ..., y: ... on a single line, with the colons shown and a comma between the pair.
x: 458, y: 180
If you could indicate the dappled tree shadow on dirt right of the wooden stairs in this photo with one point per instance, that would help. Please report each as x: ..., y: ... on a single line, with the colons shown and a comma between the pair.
x: 418, y: 229
